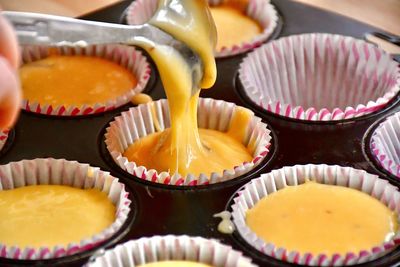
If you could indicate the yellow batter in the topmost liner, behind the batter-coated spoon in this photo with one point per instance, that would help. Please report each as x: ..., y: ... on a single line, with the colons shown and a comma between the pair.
x: 233, y: 26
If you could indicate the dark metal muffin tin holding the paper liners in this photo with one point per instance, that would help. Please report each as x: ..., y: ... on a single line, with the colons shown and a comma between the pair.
x: 163, y: 209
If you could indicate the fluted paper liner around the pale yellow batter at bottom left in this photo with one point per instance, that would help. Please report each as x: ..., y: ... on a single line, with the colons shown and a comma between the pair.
x: 70, y: 173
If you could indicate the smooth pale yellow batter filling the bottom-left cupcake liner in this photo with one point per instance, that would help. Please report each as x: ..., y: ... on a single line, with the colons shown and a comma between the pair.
x: 49, y: 215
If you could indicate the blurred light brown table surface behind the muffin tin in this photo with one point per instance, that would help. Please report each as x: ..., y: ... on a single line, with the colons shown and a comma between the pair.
x: 383, y: 14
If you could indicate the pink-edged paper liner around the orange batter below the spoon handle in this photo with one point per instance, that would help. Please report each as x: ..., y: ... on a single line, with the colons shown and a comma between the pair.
x: 125, y: 56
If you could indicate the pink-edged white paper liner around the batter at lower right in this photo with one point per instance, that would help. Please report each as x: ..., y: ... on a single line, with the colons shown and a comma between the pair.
x: 271, y: 182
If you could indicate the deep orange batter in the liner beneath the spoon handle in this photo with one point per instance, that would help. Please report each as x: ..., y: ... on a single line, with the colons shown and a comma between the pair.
x: 74, y: 80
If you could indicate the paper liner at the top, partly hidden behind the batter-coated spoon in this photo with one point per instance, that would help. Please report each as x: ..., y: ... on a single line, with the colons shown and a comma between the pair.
x: 262, y: 11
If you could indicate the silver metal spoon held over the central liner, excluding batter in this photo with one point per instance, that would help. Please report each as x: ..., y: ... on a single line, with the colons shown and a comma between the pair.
x: 49, y: 30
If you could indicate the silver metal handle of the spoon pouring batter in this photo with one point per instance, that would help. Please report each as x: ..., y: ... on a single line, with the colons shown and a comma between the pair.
x: 41, y: 29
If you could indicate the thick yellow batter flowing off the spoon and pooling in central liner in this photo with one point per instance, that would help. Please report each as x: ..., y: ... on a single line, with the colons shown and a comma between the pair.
x: 180, y: 148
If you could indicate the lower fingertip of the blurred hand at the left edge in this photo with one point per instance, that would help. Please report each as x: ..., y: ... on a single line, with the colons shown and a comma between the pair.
x: 10, y: 95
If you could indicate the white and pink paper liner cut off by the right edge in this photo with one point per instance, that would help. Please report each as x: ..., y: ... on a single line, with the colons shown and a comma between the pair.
x: 385, y: 144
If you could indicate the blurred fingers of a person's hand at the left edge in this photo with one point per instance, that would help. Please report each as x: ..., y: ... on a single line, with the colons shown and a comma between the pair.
x: 10, y: 91
